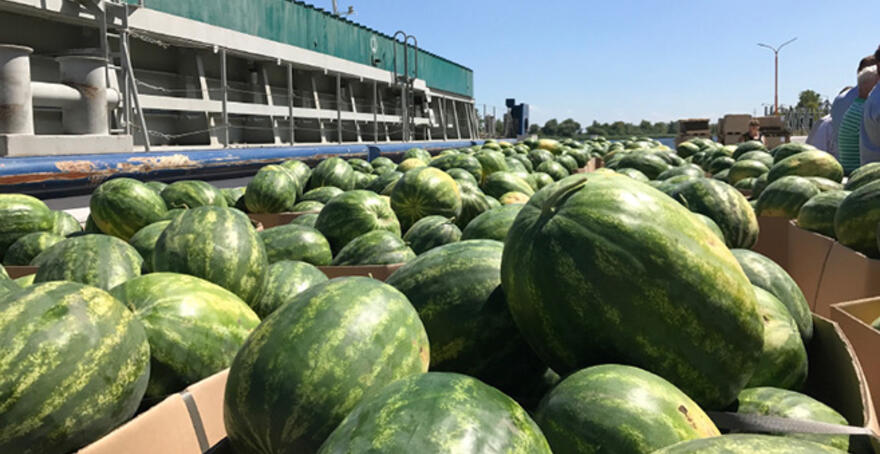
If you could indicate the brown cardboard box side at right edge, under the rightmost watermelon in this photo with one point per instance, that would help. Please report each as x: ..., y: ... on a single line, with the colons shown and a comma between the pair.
x: 848, y: 276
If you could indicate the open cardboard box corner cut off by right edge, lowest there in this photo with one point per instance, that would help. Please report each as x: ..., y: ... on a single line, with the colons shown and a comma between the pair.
x: 855, y: 319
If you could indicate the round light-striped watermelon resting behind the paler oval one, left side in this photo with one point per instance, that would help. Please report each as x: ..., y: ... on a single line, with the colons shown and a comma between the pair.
x: 216, y: 244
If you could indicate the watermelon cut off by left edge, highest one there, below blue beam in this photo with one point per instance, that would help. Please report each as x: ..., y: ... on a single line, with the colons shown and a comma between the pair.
x: 22, y: 214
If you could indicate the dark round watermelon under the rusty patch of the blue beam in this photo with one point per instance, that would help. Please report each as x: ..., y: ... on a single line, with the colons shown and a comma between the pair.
x: 122, y: 206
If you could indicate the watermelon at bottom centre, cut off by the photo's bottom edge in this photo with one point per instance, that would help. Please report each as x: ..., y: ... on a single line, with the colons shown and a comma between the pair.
x: 437, y: 412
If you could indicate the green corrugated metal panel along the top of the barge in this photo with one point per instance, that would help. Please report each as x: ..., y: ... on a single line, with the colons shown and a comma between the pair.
x: 302, y: 25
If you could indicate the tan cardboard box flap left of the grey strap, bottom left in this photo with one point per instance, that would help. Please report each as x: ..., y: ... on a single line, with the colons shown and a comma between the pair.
x: 165, y: 428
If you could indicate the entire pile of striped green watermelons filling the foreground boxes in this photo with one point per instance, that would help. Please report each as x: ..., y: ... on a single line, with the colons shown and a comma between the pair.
x: 537, y: 308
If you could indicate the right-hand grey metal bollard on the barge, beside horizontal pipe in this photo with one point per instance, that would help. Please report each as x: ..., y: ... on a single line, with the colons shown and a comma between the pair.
x: 88, y: 76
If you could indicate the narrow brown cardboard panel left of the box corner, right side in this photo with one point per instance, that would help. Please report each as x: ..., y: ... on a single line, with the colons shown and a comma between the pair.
x: 807, y: 254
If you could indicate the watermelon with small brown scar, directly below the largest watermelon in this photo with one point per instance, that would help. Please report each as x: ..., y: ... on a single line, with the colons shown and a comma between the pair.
x: 595, y: 410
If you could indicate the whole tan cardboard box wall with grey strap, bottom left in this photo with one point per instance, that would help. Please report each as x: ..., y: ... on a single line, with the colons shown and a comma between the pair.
x: 189, y: 422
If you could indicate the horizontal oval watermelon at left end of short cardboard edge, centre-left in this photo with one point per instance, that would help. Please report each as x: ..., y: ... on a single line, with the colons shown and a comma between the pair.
x: 296, y: 242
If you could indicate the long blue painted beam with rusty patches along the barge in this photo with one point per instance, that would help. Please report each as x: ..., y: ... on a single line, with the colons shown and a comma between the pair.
x: 60, y: 176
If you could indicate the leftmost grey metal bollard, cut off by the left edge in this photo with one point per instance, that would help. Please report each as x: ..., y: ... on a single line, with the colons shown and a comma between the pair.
x: 16, y: 104
